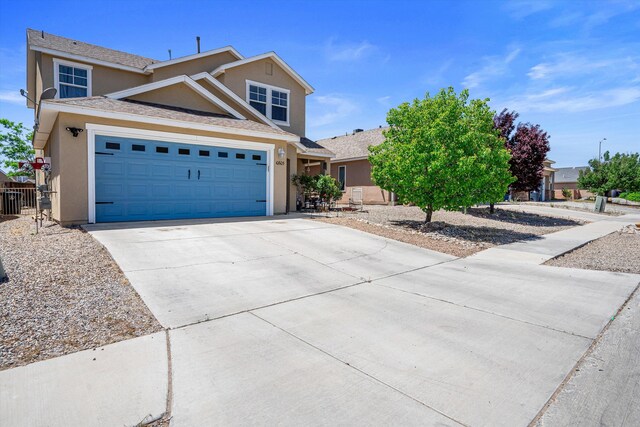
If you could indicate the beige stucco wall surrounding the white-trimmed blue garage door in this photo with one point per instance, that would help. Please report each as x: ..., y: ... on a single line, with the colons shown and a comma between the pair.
x: 70, y: 168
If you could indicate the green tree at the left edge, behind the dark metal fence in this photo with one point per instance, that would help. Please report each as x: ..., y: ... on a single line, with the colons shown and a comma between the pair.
x: 15, y: 146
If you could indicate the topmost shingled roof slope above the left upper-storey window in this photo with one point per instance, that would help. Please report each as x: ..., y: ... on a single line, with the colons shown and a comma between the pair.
x: 73, y: 49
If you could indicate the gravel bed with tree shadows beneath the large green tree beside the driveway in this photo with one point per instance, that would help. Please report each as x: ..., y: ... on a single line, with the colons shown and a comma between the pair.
x: 454, y: 233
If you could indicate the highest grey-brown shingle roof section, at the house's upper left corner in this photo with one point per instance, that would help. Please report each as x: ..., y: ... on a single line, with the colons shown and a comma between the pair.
x: 63, y: 44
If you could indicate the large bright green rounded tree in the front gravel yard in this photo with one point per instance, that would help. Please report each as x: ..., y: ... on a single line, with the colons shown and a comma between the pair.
x: 442, y: 152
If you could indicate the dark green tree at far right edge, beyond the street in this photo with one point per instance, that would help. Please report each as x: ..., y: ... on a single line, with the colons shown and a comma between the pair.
x: 622, y: 171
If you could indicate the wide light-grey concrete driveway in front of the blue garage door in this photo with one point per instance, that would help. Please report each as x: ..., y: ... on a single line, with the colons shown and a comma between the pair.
x: 294, y: 322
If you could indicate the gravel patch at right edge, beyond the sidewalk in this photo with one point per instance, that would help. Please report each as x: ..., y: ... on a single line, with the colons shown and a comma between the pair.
x: 618, y: 251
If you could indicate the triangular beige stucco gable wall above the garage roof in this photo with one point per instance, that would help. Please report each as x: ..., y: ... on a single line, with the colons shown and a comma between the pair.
x: 179, y: 95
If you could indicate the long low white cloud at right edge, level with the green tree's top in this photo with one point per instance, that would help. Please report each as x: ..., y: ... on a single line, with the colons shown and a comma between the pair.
x: 571, y: 100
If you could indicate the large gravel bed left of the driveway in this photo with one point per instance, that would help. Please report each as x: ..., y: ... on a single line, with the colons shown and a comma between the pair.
x: 63, y: 293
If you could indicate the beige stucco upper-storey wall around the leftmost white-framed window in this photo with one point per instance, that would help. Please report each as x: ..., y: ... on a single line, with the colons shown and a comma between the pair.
x: 103, y: 79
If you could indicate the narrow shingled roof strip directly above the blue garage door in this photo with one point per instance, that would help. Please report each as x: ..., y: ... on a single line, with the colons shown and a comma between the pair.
x: 164, y: 112
